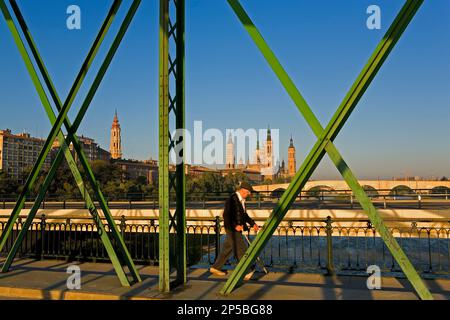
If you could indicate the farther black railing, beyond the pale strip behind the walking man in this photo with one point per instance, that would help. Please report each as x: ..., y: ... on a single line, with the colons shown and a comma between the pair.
x: 325, y: 199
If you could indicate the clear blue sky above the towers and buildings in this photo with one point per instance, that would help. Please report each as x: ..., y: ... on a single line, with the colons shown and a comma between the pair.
x: 400, y: 127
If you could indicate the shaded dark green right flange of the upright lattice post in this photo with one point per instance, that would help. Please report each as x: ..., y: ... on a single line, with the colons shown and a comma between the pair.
x: 180, y: 125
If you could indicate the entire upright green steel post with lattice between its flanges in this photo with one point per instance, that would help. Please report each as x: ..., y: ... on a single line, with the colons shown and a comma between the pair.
x: 171, y: 69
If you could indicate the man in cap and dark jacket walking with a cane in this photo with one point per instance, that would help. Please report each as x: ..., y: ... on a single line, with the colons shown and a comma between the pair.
x: 235, y: 221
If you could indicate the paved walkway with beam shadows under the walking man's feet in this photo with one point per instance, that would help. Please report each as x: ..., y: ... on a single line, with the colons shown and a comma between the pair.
x: 29, y: 279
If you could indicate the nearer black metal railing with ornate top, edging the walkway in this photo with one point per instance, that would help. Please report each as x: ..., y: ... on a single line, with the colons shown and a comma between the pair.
x: 307, y: 245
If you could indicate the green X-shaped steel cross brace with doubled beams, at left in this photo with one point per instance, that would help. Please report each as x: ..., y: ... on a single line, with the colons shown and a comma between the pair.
x: 57, y: 122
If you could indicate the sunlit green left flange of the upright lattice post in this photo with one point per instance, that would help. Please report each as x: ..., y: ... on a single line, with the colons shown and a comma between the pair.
x: 164, y: 225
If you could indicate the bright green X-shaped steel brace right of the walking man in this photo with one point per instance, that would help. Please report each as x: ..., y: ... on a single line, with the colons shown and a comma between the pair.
x: 325, y: 144
